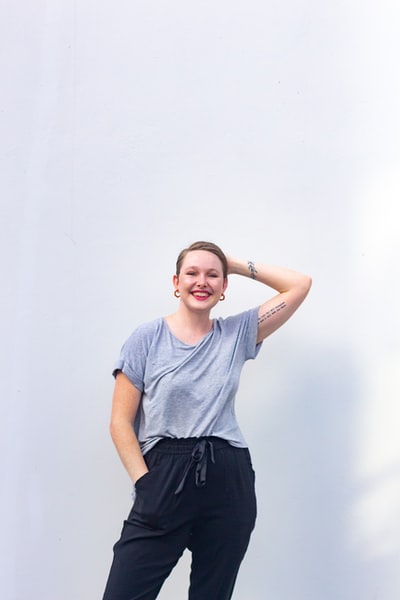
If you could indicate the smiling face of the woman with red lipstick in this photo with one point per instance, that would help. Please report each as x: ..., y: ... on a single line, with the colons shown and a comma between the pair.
x: 201, y: 281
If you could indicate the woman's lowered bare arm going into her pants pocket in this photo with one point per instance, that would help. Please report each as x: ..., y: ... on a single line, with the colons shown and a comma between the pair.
x: 125, y: 404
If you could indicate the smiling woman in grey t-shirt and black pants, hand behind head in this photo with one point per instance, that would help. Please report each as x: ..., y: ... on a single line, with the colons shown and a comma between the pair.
x: 176, y: 382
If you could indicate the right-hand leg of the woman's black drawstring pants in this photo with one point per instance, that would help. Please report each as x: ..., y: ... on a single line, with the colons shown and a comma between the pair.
x: 221, y: 535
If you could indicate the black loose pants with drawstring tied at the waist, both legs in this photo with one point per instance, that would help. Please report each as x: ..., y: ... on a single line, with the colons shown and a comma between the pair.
x: 198, y: 494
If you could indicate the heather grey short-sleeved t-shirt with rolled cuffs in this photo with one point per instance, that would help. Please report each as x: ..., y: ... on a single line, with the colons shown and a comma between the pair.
x: 189, y: 390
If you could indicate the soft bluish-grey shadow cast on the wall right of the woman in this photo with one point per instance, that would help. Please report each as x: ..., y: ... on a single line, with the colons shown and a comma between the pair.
x: 301, y: 424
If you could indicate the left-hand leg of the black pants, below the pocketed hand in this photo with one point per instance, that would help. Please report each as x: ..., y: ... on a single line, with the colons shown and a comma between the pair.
x: 153, y: 537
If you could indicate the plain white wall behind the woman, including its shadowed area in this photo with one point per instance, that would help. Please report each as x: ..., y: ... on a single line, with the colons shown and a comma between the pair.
x: 130, y: 129
